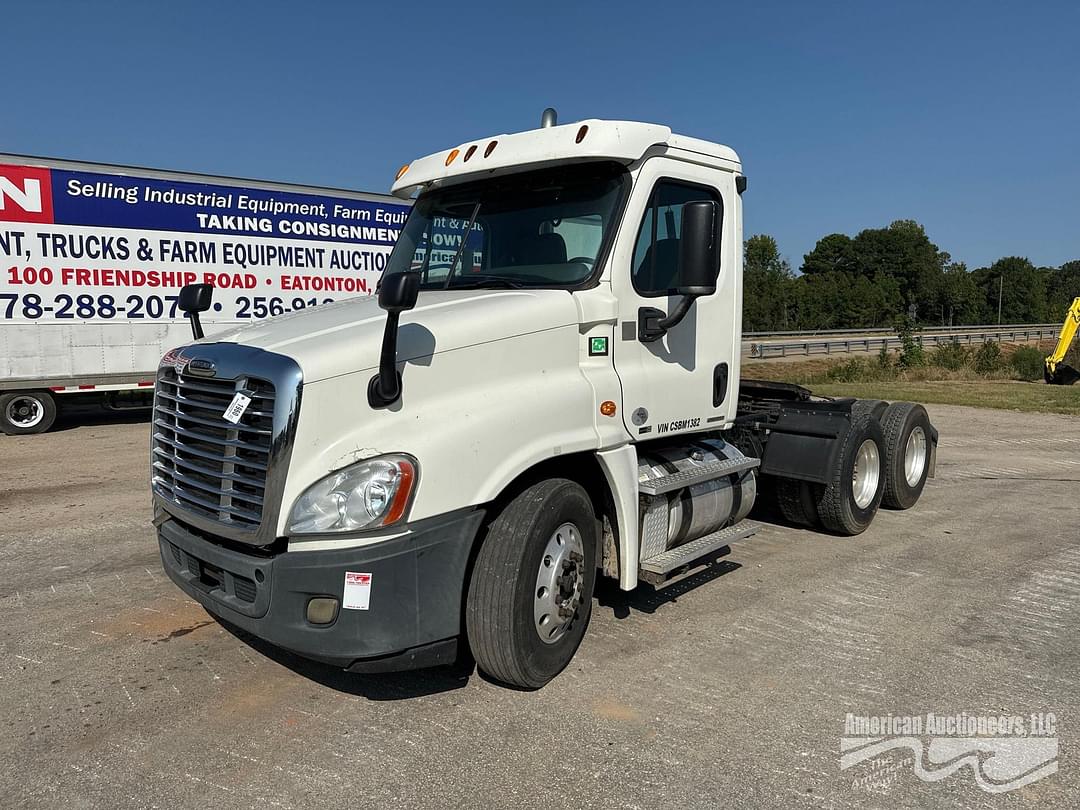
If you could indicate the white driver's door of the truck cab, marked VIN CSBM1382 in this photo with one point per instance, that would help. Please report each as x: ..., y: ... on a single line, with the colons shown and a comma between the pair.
x: 688, y: 380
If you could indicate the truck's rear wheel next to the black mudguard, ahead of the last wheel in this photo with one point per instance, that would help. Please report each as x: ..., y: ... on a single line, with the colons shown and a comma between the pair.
x: 847, y: 505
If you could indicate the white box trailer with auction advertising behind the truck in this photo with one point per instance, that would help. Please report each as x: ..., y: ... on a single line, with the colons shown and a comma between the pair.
x: 92, y: 259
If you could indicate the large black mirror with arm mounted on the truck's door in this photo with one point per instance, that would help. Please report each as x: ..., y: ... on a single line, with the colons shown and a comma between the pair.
x: 699, y: 266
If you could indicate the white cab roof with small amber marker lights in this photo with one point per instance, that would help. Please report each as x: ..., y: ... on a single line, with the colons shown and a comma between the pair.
x: 592, y: 140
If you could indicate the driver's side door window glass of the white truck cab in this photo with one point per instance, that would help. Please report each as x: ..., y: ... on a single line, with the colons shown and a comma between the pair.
x: 655, y: 272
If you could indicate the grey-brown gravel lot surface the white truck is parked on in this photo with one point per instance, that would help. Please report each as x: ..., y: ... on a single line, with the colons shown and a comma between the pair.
x: 727, y: 690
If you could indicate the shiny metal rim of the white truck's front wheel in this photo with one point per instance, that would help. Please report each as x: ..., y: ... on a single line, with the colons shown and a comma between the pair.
x: 558, y: 593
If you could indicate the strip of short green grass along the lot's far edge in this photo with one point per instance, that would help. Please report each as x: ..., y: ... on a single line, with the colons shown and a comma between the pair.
x: 1006, y: 395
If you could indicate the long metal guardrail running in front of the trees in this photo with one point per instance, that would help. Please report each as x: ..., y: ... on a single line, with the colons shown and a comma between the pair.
x: 871, y: 344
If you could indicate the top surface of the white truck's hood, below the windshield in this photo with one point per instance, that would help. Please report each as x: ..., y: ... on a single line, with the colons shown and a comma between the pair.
x: 347, y: 336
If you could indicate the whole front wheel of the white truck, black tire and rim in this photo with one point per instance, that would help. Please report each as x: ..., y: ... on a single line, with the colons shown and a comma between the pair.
x: 532, y: 588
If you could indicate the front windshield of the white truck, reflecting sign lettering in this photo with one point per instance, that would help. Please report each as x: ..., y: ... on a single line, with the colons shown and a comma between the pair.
x: 545, y: 228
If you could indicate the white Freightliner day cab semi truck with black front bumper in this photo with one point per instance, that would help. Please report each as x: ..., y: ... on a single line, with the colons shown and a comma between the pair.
x: 547, y: 389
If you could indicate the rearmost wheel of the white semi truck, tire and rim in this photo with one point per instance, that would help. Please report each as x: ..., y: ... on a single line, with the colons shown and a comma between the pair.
x: 908, y: 438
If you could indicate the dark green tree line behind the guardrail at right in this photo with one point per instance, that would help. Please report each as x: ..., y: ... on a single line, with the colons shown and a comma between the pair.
x: 883, y: 277
